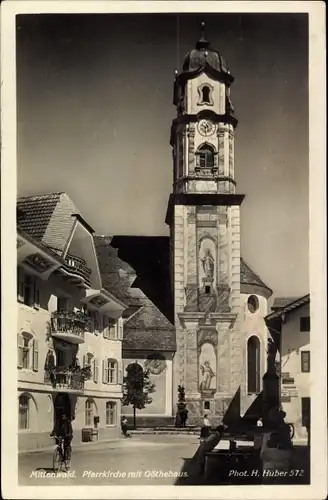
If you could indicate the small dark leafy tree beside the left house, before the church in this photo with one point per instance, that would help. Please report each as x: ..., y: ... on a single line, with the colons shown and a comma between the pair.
x: 137, y: 388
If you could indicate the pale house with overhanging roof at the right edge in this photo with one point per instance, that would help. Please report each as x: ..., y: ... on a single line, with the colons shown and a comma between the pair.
x: 291, y: 322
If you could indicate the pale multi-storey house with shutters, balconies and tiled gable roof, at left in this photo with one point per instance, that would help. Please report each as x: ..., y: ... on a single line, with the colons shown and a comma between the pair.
x: 70, y: 328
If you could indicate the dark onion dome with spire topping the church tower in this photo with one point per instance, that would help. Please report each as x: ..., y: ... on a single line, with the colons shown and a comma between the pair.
x: 203, y: 55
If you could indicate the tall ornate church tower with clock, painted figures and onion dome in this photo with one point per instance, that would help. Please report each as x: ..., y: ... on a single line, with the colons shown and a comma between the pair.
x: 204, y: 218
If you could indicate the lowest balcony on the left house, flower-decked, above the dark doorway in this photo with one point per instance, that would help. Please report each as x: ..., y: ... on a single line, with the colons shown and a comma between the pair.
x: 65, y: 378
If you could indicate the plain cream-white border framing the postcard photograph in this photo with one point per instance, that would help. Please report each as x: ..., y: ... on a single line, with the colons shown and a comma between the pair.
x: 317, y: 107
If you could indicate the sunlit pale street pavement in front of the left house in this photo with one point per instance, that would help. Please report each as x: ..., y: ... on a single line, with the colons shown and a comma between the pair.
x: 133, y: 459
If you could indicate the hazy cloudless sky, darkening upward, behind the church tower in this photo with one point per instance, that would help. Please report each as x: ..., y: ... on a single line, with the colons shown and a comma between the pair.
x: 94, y: 111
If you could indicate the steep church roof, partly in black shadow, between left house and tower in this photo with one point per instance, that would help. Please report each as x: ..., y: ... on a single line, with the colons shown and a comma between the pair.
x: 141, y: 287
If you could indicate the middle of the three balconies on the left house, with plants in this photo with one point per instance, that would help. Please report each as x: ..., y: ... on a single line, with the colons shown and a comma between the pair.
x: 69, y: 326
